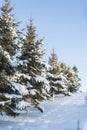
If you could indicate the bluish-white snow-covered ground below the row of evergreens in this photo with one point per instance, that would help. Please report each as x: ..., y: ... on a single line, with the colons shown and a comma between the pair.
x: 62, y: 113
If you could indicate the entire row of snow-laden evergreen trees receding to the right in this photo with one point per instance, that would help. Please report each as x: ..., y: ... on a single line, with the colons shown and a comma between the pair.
x: 24, y: 77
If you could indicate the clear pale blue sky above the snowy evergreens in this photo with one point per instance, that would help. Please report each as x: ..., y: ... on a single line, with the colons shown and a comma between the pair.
x: 63, y: 25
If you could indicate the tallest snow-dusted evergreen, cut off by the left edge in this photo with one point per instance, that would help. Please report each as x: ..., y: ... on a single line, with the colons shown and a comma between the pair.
x: 8, y: 46
